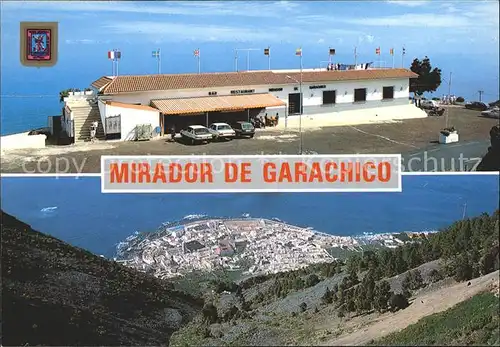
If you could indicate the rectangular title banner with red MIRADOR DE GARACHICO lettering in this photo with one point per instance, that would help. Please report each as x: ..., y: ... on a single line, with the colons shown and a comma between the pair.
x: 251, y: 173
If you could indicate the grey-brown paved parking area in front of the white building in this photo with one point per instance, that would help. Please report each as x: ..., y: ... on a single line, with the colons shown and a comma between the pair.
x: 412, y: 138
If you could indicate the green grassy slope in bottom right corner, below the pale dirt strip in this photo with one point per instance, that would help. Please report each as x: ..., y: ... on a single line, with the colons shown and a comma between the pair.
x: 472, y: 322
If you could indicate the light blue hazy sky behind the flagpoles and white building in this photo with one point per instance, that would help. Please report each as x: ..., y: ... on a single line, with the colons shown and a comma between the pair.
x: 460, y: 37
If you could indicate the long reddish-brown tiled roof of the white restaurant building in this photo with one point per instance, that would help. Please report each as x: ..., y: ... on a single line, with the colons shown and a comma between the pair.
x: 143, y: 83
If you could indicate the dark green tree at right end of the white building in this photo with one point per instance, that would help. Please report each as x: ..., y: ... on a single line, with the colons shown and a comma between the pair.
x: 428, y: 80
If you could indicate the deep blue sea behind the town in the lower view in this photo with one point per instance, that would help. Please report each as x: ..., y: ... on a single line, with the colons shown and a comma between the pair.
x: 75, y: 210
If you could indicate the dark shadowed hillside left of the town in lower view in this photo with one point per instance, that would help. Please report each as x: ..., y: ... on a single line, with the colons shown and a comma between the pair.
x: 56, y: 294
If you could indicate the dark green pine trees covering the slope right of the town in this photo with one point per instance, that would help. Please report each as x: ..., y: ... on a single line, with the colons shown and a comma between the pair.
x: 469, y: 248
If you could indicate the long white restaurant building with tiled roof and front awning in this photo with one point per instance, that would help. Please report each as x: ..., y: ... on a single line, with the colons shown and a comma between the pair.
x: 161, y: 101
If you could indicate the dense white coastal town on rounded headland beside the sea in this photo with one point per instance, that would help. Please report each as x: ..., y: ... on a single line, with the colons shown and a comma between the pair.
x: 252, y: 246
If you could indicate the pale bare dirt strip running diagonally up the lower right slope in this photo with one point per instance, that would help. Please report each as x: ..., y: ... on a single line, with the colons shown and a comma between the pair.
x: 424, y: 305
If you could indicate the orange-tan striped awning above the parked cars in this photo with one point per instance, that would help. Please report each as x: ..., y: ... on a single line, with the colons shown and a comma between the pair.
x: 215, y: 103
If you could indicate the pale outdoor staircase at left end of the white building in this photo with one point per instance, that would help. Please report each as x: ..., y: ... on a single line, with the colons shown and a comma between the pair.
x: 84, y: 114
